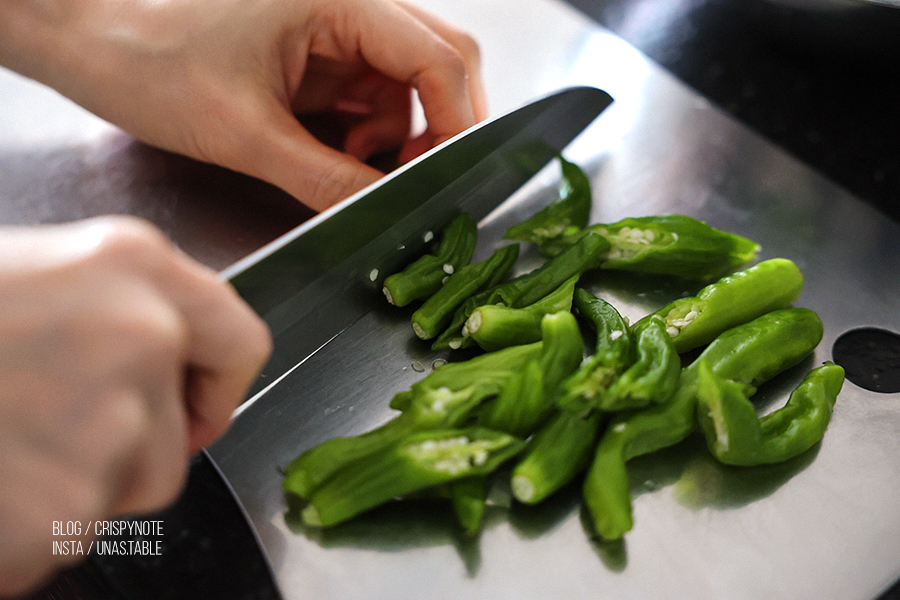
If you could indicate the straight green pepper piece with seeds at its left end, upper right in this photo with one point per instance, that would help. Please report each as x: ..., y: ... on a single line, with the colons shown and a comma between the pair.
x: 770, y: 285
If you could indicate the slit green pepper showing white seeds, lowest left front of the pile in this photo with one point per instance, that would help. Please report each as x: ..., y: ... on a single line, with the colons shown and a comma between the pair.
x: 420, y: 461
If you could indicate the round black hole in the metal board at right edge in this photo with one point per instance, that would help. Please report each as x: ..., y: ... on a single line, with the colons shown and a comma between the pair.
x: 870, y: 357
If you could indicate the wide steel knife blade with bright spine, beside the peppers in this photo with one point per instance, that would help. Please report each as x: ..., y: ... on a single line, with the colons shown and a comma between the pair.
x: 317, y: 279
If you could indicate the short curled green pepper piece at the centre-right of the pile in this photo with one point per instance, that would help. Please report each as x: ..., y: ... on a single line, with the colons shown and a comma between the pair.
x: 654, y: 375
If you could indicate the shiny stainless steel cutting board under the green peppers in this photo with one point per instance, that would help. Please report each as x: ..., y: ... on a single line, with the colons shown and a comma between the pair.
x: 824, y: 526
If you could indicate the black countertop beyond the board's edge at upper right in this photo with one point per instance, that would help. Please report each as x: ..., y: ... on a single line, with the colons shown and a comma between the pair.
x: 824, y: 84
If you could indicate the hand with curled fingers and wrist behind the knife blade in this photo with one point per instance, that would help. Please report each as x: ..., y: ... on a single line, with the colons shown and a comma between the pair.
x: 222, y: 80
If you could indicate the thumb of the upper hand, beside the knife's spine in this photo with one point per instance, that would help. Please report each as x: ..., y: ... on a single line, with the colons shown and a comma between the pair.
x: 293, y: 159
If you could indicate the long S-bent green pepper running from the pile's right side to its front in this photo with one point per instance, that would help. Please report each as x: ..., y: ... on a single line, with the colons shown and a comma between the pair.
x: 746, y: 355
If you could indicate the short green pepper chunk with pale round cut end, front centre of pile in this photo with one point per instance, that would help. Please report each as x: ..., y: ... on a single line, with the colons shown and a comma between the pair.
x: 557, y: 453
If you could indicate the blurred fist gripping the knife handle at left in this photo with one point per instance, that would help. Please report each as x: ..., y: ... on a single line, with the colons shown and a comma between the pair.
x: 120, y: 357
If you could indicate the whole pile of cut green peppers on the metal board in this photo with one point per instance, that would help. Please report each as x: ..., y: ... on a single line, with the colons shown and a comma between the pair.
x: 537, y: 408
